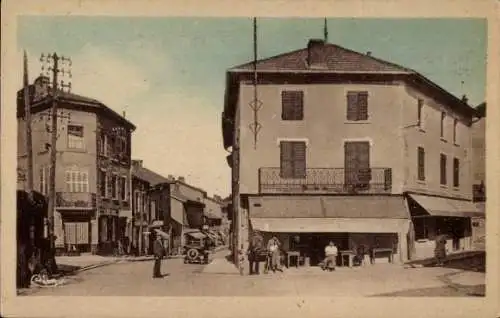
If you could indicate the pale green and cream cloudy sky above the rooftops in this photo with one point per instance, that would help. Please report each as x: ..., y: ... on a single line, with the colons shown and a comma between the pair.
x: 168, y: 73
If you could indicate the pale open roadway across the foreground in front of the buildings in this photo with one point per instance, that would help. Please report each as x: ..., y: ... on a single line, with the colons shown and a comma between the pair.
x: 135, y: 279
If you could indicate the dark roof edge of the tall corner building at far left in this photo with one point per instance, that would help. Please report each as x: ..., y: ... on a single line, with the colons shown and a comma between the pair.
x: 72, y: 99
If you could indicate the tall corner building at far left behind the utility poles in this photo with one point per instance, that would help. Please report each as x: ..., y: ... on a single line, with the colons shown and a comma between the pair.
x: 93, y: 209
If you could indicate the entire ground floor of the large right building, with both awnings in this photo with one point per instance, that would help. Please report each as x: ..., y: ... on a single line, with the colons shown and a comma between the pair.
x: 395, y: 227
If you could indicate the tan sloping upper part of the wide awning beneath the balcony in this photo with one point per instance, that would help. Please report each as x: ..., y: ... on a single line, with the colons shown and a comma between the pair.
x: 328, y: 207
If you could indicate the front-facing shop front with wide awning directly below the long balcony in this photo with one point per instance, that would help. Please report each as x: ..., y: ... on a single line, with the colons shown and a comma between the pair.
x: 357, y: 225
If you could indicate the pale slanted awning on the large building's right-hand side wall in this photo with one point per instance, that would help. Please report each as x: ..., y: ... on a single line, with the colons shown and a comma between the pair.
x: 446, y: 207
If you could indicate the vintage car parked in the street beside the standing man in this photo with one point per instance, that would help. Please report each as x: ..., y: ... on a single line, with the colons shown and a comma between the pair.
x: 197, y: 248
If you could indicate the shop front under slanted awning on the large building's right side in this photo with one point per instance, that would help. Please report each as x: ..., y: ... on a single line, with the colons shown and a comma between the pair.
x: 432, y: 216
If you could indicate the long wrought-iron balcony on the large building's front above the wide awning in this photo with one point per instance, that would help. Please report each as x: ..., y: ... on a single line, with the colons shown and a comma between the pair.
x: 327, y: 181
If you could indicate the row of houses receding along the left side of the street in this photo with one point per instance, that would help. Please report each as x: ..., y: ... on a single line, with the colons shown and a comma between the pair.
x: 102, y: 195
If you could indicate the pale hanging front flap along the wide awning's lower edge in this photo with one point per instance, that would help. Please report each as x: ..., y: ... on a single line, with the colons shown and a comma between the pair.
x: 329, y: 225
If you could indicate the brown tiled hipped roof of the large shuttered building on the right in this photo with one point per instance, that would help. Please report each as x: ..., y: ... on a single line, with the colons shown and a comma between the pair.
x: 335, y: 57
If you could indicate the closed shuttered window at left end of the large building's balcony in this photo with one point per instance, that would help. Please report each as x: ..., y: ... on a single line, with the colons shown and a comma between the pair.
x: 293, y: 159
